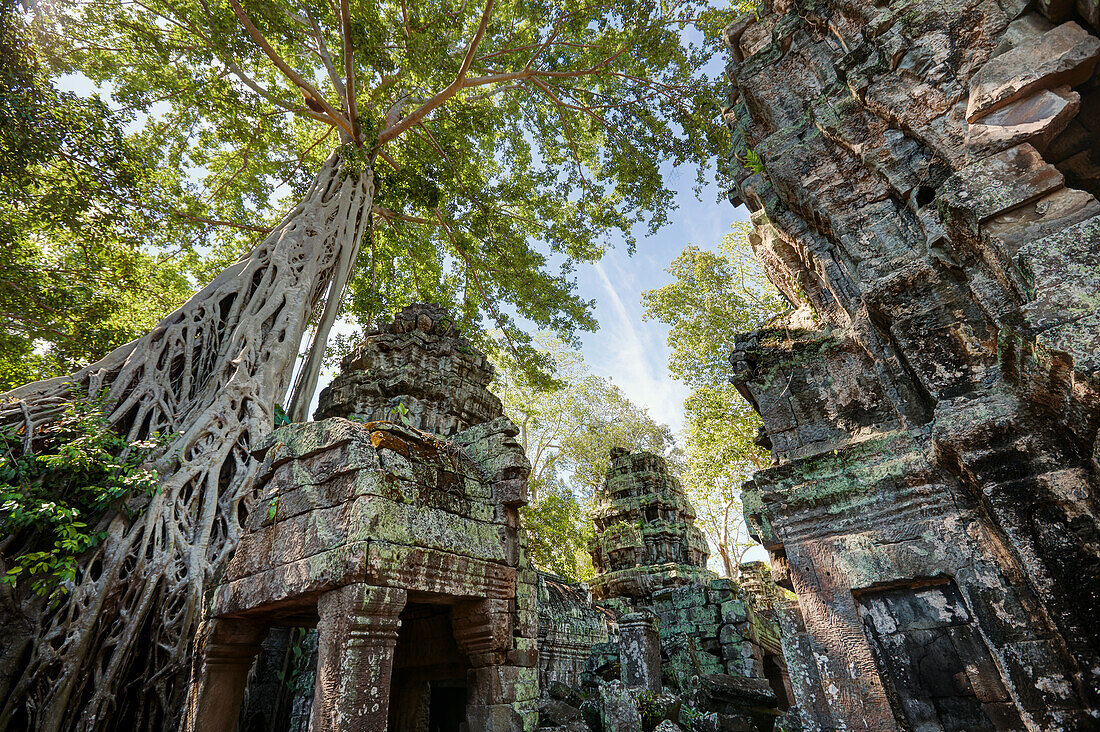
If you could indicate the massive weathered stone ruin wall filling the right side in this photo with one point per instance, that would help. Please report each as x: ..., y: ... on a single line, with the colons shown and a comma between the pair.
x: 922, y: 183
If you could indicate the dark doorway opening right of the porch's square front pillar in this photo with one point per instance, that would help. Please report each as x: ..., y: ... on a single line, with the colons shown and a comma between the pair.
x: 428, y: 692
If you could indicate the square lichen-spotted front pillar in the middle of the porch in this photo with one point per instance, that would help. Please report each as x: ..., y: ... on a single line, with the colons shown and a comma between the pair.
x: 357, y: 633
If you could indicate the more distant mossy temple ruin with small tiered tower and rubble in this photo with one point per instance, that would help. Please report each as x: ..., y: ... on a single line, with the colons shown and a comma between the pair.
x: 683, y: 644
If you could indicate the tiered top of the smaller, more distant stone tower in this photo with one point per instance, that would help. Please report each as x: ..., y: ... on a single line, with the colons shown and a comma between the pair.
x: 646, y: 537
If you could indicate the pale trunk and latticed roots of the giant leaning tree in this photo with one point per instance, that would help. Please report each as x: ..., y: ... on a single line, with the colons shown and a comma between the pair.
x: 115, y: 654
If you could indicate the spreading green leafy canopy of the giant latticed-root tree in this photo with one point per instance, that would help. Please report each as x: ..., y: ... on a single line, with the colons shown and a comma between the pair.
x: 508, y: 139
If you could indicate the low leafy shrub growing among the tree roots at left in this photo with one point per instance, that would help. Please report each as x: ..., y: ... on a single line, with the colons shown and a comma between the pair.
x: 53, y: 498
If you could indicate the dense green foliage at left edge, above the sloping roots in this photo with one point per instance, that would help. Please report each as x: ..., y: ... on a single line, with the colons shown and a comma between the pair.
x: 82, y: 210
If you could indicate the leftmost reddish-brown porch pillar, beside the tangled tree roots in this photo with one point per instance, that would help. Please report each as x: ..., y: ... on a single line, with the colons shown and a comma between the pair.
x: 227, y: 649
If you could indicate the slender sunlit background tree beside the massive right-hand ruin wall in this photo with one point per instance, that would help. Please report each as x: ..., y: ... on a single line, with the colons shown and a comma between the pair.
x: 713, y: 297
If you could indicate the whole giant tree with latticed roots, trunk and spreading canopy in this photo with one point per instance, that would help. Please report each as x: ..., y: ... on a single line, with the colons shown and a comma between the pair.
x: 435, y: 150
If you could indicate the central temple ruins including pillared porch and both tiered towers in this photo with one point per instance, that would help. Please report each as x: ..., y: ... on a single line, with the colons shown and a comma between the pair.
x: 390, y: 559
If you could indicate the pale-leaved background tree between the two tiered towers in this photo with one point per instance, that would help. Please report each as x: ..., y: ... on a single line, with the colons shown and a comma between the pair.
x: 567, y: 431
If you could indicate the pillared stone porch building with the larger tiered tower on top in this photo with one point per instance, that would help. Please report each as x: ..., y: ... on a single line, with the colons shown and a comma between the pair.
x: 393, y: 528
